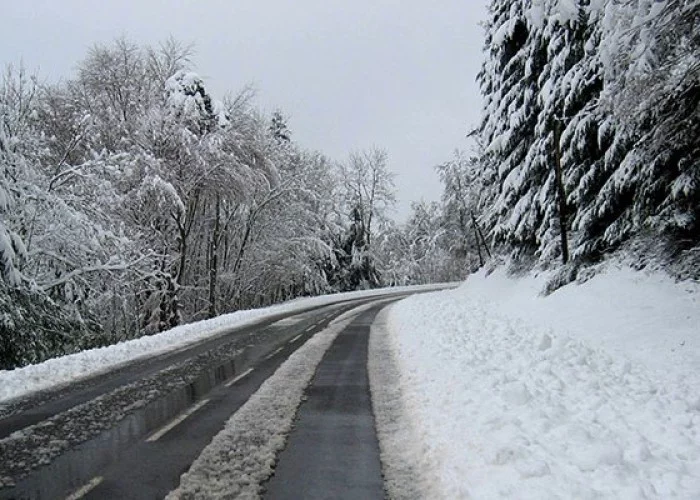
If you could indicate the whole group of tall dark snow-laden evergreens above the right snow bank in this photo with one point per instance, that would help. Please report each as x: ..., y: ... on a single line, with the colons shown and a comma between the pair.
x: 590, y: 130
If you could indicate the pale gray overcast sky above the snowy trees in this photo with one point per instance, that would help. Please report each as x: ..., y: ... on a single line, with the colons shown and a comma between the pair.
x: 349, y: 75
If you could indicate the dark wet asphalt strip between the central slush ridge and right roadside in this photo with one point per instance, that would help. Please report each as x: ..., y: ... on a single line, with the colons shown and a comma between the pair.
x: 333, y: 450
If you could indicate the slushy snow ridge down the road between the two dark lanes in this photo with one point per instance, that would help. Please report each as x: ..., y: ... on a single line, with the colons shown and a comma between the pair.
x: 241, y: 457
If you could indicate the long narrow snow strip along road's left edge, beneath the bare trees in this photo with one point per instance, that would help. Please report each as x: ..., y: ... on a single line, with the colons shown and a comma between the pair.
x: 60, y: 371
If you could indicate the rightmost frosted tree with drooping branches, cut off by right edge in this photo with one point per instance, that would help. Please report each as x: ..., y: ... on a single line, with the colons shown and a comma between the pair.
x: 652, y: 63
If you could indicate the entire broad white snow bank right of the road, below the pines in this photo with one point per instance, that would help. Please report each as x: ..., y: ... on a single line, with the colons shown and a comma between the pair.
x: 590, y: 392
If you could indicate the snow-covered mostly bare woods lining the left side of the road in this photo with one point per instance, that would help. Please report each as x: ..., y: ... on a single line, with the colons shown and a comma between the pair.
x: 132, y: 200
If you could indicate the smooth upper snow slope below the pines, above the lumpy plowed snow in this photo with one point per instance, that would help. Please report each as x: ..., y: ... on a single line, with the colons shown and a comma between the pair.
x: 646, y: 317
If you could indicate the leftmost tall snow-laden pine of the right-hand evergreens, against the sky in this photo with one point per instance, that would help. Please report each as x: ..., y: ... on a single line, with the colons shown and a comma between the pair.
x: 516, y: 55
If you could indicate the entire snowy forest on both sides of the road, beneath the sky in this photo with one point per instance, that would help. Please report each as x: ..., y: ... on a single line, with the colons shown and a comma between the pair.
x: 133, y: 200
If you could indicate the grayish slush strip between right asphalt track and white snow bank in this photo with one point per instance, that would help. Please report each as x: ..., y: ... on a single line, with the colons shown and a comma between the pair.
x: 405, y: 477
